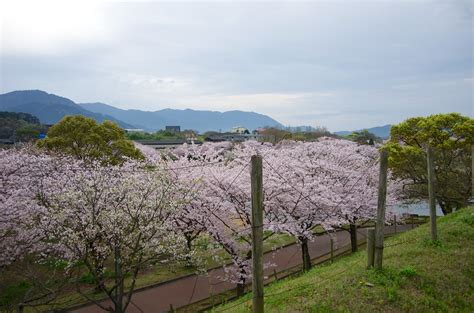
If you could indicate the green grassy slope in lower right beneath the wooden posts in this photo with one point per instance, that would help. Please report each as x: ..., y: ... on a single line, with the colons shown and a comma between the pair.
x: 418, y: 276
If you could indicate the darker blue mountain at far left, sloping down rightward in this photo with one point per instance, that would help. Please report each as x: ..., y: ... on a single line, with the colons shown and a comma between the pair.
x: 48, y: 108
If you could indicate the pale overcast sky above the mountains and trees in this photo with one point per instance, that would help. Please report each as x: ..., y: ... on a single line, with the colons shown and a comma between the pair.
x: 340, y: 64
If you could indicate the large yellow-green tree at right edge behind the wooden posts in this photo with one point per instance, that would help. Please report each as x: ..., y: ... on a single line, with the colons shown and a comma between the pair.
x: 451, y: 136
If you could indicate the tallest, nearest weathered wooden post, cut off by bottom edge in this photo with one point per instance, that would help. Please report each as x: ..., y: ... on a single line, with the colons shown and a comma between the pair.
x: 257, y: 233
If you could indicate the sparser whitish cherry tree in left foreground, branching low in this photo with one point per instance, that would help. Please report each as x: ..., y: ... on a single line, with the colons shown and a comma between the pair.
x: 115, y: 213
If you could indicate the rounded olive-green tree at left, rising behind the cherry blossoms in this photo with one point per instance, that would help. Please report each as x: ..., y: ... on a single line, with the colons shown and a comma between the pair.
x: 83, y: 138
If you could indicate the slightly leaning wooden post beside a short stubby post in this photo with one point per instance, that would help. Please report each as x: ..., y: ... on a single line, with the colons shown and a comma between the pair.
x: 380, y: 222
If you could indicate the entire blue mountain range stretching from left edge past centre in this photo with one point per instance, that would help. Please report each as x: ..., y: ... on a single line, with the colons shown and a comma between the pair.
x: 50, y: 108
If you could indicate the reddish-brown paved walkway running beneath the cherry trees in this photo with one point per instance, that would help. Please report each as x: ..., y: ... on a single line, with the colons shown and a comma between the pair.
x: 187, y: 290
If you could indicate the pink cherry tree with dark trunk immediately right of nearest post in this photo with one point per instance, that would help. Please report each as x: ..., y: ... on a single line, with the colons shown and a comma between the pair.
x: 301, y: 193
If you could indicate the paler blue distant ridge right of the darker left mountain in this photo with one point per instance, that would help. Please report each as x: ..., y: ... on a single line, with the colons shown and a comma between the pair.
x: 188, y: 119
